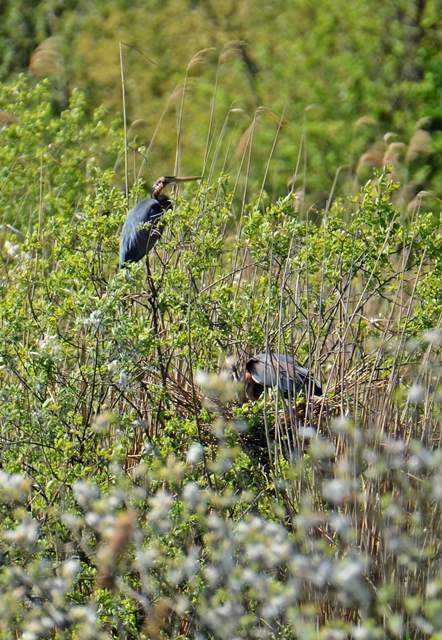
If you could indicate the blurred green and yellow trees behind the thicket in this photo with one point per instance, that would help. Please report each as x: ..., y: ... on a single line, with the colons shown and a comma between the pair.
x: 311, y: 86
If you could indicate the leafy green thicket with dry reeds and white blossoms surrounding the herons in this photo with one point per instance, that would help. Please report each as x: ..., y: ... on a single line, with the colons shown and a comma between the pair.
x: 139, y: 499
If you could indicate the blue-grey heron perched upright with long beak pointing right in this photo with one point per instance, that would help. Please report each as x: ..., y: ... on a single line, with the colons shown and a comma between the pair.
x: 142, y: 227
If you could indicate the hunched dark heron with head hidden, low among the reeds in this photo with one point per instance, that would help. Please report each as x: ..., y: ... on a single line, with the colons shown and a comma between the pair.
x: 270, y: 370
